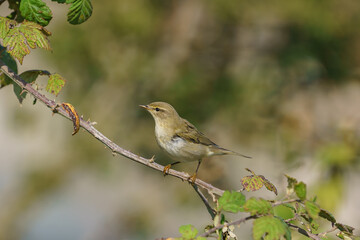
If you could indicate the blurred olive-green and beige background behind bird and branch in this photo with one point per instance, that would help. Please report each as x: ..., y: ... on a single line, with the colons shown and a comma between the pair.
x: 278, y: 81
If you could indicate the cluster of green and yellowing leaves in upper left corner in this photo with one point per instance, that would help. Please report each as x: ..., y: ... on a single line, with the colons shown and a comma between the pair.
x: 24, y: 29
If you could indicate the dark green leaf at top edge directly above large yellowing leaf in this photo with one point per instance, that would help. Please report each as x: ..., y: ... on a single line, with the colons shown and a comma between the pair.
x: 36, y: 11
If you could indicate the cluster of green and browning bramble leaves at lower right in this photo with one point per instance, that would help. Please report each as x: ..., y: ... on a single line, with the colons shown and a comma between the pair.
x: 304, y: 214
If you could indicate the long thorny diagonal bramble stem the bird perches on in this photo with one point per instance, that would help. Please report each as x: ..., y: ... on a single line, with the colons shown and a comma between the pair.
x: 99, y: 136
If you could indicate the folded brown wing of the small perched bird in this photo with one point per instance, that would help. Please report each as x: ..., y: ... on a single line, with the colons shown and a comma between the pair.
x: 190, y: 133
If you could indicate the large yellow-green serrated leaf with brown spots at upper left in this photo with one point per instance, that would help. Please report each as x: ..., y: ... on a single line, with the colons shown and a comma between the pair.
x: 24, y: 36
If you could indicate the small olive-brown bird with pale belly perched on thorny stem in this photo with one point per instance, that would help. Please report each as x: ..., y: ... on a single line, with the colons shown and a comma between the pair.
x: 180, y: 139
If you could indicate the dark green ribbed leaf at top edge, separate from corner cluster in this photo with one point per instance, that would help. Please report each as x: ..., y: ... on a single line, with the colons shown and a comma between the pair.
x: 79, y: 12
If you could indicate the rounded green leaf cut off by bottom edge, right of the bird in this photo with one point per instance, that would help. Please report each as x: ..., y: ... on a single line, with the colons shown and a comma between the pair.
x: 270, y: 228
